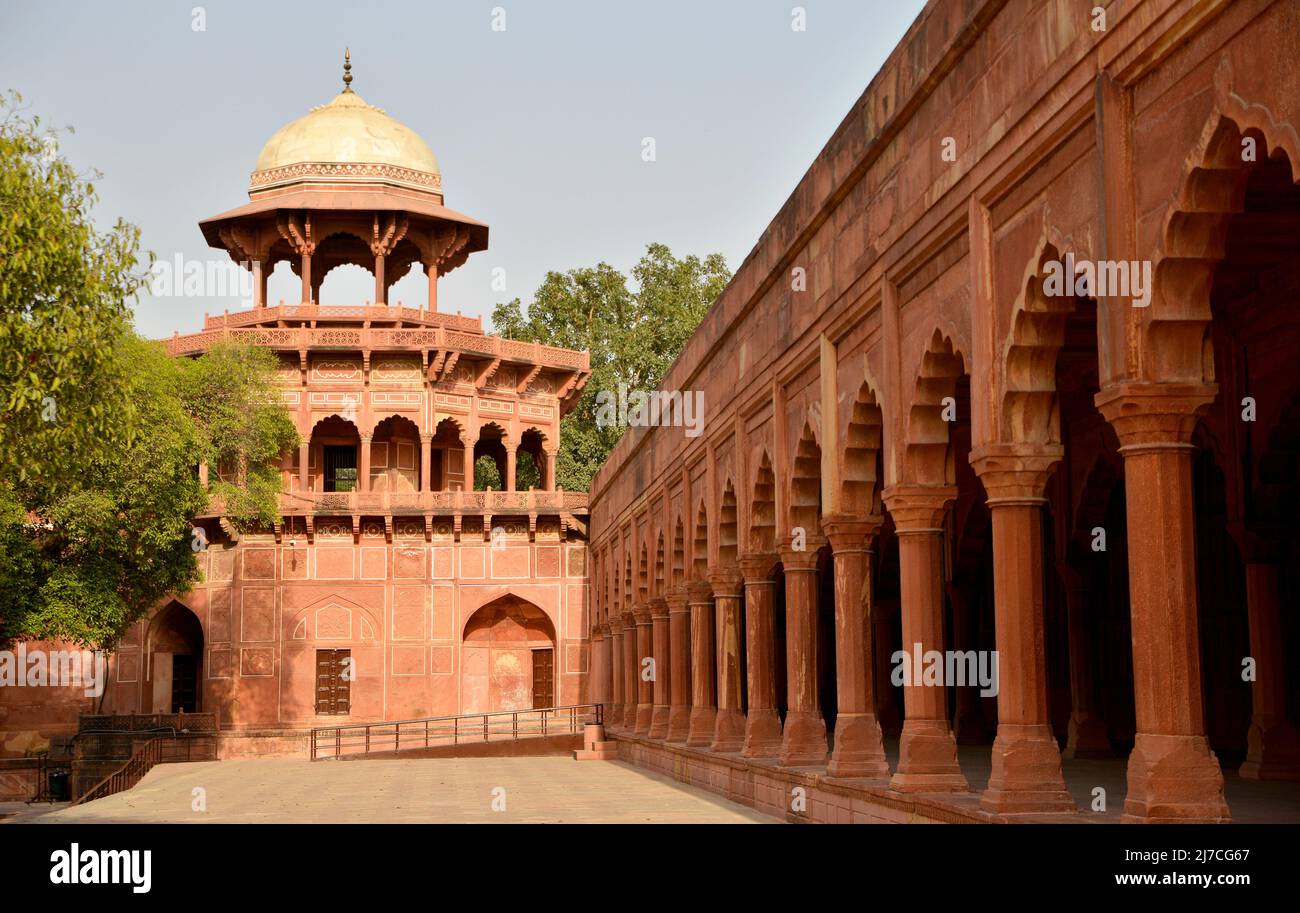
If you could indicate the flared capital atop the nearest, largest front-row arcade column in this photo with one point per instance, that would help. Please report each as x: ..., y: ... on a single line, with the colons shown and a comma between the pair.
x: 1155, y: 416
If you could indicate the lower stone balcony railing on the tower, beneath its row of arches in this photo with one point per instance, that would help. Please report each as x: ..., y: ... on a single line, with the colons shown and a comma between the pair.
x: 380, y: 504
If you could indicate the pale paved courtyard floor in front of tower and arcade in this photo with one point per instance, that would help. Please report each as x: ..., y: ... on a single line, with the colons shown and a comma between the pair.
x: 538, y: 790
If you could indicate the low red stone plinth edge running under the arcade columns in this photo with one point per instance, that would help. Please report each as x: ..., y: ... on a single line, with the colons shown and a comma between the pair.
x: 769, y: 789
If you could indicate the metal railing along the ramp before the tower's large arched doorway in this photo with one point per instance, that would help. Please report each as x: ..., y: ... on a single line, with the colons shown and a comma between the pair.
x: 367, y: 739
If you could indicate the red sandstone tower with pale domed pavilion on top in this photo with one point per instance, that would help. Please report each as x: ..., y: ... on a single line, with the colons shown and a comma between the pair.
x: 387, y: 564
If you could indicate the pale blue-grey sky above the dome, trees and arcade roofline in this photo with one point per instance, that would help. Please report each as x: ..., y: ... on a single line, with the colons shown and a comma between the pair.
x: 539, y: 129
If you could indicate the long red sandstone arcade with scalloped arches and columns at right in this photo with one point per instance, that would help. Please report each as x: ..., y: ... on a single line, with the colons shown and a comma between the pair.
x: 915, y: 438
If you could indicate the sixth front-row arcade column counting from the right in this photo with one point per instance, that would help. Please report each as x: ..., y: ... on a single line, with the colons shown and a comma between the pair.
x: 762, y: 724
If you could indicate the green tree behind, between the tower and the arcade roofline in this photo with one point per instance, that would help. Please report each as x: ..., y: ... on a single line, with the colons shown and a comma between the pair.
x: 634, y: 331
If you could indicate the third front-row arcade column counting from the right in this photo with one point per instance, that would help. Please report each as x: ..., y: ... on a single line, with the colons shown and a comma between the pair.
x: 928, y: 752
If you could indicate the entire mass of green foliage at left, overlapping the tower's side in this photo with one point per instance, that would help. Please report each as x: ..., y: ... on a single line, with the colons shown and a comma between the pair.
x: 101, y: 431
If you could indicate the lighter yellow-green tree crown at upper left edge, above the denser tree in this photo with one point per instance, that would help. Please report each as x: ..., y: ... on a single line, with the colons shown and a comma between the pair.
x: 64, y: 291
